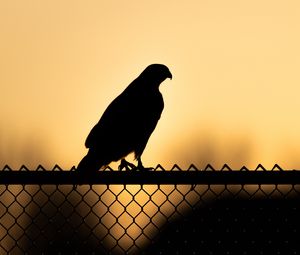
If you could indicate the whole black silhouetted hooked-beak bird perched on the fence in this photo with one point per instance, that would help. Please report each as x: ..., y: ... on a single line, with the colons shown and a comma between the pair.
x: 127, y: 123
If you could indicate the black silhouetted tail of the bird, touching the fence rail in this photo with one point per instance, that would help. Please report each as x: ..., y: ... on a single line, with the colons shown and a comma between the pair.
x: 89, y: 164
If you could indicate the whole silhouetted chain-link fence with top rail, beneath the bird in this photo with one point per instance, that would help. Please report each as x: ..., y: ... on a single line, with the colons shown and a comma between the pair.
x: 156, y: 212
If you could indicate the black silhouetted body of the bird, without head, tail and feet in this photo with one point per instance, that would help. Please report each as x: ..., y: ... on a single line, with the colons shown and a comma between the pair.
x: 127, y: 123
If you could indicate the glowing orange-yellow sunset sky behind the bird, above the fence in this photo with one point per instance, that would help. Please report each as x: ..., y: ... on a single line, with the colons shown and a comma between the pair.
x: 233, y: 98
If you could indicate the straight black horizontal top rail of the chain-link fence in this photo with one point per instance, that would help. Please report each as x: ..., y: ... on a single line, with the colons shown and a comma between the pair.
x: 151, y: 177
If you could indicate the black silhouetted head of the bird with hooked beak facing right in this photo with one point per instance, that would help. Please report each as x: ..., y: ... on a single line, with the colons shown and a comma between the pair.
x: 156, y: 73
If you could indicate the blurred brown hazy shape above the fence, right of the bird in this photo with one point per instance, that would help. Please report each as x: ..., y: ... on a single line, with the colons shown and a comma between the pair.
x: 208, y: 147
